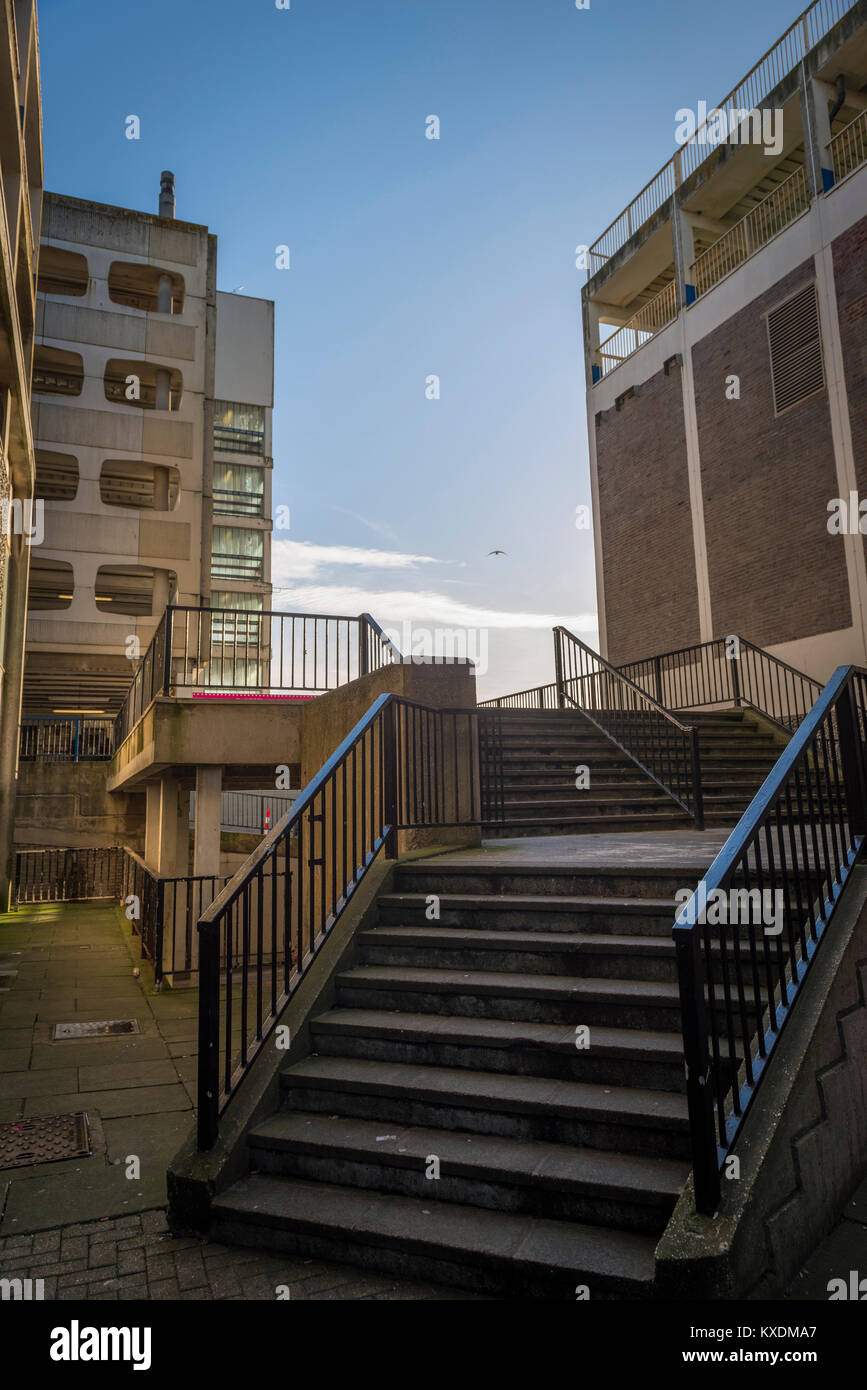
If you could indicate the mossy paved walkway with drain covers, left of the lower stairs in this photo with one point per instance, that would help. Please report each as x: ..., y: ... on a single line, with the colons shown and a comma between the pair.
x: 95, y: 1228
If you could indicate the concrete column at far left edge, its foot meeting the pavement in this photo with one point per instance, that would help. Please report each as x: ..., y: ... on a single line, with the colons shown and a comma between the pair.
x: 15, y: 603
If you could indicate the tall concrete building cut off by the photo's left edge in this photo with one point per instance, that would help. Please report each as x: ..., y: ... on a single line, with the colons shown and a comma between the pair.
x: 20, y: 213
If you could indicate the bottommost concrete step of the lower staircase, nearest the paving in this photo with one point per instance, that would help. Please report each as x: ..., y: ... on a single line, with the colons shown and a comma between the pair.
x: 462, y: 1246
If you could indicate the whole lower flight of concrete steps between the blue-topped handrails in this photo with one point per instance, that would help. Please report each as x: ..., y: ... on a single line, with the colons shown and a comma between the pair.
x: 452, y: 1047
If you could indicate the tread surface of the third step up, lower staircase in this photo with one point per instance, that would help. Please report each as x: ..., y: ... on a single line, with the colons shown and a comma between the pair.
x: 523, y: 1093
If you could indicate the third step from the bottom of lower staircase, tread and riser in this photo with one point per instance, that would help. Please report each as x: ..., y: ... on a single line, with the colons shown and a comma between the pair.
x: 625, y: 1120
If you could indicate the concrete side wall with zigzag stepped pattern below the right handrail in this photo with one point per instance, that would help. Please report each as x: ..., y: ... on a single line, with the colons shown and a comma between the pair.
x: 804, y: 1146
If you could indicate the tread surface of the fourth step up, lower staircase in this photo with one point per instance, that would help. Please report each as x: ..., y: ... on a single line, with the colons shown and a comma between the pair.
x: 466, y: 1029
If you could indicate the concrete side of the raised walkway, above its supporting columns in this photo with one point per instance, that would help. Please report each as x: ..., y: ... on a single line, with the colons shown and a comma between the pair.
x: 249, y: 737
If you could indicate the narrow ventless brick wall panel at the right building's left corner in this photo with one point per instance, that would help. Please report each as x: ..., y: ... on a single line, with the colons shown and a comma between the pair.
x: 645, y: 523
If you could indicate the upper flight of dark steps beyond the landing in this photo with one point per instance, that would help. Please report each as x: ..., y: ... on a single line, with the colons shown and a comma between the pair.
x: 543, y: 751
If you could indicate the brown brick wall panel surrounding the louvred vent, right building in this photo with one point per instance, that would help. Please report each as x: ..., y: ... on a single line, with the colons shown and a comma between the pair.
x: 776, y: 573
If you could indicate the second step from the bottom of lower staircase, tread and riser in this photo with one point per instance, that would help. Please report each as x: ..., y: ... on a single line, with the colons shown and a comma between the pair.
x: 548, y: 1181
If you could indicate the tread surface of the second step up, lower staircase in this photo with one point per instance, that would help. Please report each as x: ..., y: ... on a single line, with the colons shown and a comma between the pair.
x: 562, y: 1166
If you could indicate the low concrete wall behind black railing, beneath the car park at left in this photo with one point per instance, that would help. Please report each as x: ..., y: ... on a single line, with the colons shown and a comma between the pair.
x: 69, y: 804
